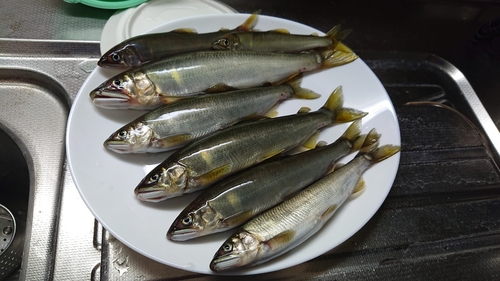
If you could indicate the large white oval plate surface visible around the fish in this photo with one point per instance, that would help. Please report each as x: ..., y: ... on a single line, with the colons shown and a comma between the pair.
x: 106, y: 180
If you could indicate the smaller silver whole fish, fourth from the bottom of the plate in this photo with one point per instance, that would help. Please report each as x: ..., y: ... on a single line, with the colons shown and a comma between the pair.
x: 174, y: 125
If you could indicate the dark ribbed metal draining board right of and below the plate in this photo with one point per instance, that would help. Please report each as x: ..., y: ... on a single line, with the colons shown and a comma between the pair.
x: 438, y: 220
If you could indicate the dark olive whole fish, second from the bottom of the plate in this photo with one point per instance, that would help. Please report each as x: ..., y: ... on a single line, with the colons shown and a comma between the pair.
x: 236, y: 199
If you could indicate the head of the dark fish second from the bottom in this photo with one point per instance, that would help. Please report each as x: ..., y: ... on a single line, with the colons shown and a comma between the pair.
x: 194, y: 222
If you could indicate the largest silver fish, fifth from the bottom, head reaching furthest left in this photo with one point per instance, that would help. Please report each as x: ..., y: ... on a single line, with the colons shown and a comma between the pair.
x: 182, y: 76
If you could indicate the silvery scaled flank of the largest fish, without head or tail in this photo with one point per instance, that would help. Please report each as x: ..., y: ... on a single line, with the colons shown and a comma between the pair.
x: 198, y: 72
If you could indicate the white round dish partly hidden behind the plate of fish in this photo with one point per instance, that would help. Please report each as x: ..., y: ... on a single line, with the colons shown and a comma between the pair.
x: 134, y: 21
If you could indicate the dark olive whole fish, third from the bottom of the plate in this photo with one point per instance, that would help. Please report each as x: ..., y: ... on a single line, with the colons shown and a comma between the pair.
x: 205, y: 161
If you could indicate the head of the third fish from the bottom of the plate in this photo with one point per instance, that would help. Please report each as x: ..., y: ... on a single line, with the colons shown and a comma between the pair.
x: 163, y: 183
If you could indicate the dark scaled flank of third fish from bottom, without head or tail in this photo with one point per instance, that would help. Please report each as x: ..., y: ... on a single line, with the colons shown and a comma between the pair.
x: 243, y: 149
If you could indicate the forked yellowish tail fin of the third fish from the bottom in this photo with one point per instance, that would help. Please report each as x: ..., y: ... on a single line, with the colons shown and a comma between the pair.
x: 340, y: 114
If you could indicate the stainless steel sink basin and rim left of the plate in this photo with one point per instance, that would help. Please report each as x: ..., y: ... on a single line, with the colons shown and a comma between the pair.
x: 35, y: 97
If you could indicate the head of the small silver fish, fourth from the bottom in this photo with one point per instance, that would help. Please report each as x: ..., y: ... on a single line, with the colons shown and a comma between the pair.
x: 135, y: 137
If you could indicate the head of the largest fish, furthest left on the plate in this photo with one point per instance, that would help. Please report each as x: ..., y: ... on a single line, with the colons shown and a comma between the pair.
x: 126, y: 90
